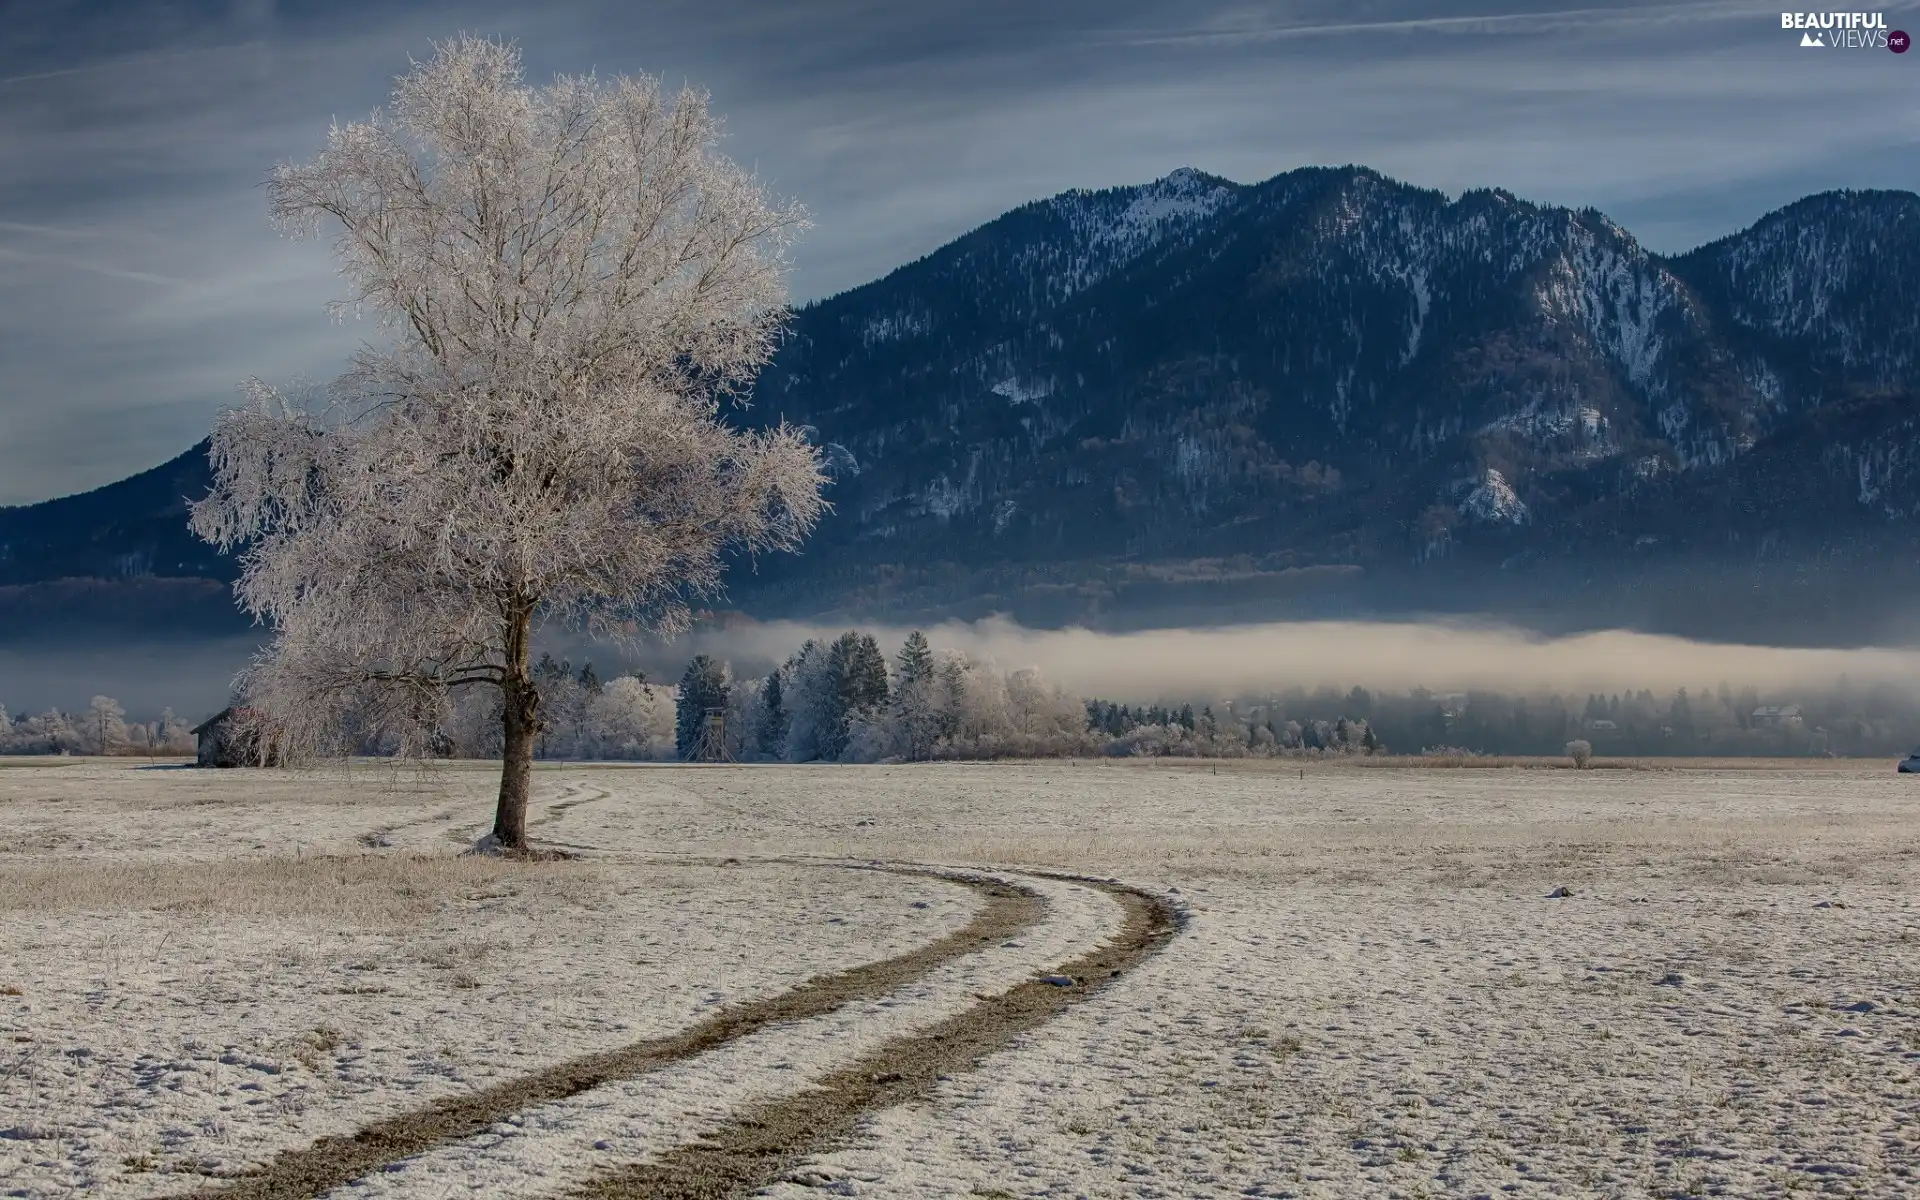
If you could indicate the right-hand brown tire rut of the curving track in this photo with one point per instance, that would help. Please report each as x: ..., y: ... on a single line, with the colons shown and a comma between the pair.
x: 765, y: 1141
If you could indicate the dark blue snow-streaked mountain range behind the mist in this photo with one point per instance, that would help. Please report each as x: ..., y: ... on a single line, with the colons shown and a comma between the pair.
x: 1326, y: 393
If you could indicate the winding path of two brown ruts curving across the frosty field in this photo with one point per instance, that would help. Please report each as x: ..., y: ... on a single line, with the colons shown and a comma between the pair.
x: 765, y: 1138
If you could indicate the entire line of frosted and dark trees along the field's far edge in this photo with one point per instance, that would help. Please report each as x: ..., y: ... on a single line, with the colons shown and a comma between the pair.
x: 848, y: 700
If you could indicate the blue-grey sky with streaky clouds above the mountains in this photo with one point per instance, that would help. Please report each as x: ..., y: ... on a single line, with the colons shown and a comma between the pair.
x: 141, y: 283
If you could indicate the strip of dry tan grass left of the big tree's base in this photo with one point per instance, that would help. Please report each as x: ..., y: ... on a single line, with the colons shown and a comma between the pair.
x: 348, y: 890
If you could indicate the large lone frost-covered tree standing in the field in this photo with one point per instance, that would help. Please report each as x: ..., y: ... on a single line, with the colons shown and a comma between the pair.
x: 575, y: 283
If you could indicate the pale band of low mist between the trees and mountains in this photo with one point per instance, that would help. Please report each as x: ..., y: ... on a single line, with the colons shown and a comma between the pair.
x: 1193, y: 663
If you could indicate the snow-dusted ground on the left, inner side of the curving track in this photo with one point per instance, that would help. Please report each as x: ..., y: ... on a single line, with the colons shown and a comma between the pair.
x: 214, y: 1001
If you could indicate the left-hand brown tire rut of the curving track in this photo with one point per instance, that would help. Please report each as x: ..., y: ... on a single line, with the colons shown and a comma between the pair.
x: 337, y: 1161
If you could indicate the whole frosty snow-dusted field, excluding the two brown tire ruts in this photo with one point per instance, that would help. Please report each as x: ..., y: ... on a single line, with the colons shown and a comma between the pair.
x: 1374, y: 992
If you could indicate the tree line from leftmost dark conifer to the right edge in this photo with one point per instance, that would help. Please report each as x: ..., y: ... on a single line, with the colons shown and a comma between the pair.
x: 844, y: 700
